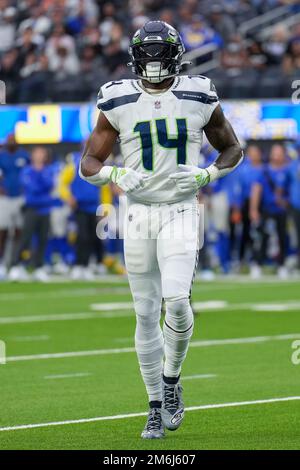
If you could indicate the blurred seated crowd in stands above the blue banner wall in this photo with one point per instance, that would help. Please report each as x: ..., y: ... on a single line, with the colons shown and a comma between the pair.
x: 63, y: 50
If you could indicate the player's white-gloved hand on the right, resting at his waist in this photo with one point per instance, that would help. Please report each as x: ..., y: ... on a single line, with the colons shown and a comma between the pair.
x: 190, y: 178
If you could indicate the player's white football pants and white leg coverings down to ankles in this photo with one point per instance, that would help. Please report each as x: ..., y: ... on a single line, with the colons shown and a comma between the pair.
x: 161, y: 251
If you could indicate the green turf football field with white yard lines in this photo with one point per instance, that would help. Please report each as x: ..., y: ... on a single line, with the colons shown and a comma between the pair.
x: 69, y: 359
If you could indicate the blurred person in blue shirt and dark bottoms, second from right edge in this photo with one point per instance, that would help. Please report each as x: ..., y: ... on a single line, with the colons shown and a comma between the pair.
x: 268, y: 209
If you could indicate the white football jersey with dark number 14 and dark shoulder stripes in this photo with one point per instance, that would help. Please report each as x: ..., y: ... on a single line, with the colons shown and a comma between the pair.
x: 159, y: 131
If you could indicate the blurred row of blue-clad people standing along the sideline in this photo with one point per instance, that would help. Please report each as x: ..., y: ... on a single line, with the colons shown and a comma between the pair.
x: 49, y: 218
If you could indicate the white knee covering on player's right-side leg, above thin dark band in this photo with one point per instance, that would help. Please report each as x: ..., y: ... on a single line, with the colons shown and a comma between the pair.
x: 179, y: 315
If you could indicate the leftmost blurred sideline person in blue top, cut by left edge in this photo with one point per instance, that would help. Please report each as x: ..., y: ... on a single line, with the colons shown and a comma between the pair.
x: 12, y: 160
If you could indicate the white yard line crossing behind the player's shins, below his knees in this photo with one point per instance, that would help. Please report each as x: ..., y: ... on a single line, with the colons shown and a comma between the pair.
x: 193, y: 344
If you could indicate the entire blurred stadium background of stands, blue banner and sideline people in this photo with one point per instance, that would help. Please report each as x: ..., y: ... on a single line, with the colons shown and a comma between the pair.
x: 54, y: 56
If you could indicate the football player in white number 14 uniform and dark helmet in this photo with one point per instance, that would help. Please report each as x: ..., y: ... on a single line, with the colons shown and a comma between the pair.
x: 160, y: 118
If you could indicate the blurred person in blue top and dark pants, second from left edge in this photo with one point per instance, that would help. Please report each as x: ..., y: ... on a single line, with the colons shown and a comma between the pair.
x: 38, y: 182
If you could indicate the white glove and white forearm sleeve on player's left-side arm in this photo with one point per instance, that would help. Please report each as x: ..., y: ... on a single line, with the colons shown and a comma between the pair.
x: 126, y: 178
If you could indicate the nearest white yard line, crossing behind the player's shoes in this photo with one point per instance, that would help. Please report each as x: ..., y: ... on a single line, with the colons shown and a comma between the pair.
x: 136, y: 415
